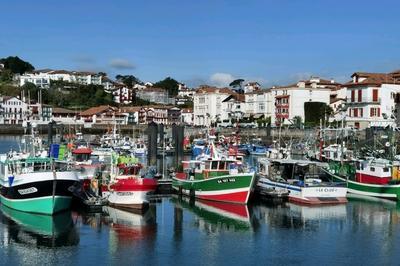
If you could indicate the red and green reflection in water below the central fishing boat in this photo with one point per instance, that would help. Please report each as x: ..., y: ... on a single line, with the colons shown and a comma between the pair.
x: 214, y: 216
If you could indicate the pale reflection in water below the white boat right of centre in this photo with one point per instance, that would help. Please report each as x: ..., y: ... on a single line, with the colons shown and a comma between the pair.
x: 290, y: 215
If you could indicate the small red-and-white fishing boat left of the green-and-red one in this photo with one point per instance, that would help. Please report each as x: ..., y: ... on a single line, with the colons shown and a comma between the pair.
x: 127, y: 188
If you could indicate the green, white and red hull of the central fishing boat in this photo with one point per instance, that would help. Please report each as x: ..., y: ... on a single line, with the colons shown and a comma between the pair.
x: 225, y: 188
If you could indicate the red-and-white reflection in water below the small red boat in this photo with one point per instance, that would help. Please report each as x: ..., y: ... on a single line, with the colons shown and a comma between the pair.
x: 129, y: 227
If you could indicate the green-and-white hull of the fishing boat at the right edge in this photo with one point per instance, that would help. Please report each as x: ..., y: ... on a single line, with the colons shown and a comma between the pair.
x: 387, y: 191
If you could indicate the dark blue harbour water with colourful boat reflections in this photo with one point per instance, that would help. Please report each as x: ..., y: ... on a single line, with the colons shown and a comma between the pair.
x: 176, y: 231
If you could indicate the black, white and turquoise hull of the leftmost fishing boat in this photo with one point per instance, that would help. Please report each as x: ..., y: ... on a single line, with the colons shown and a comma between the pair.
x: 39, y: 192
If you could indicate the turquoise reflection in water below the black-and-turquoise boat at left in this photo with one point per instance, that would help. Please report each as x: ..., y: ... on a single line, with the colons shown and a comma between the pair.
x: 38, y: 230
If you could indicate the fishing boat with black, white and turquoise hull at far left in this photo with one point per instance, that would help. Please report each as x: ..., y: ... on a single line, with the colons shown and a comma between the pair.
x: 36, y: 184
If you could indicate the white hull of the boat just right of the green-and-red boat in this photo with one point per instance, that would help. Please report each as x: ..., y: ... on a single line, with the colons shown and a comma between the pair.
x: 307, y: 195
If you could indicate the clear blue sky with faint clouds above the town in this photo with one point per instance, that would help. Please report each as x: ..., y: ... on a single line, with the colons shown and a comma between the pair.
x: 208, y: 41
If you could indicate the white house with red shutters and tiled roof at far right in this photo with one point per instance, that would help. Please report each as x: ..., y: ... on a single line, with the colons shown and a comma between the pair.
x: 371, y: 99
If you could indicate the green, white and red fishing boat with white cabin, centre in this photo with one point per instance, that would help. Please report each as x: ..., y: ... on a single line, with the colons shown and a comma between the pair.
x: 215, y: 178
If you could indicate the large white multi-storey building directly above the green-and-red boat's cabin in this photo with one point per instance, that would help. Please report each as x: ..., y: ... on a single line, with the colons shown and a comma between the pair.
x: 207, y: 104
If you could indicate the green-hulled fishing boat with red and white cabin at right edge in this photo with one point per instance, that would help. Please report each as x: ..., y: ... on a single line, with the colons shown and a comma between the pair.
x: 369, y: 177
